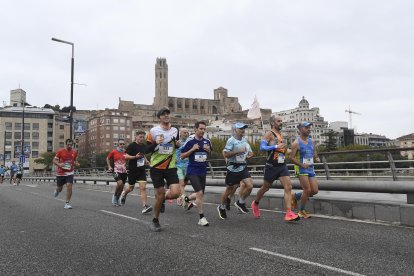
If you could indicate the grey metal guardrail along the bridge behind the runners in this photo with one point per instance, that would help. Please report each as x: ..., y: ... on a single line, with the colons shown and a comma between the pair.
x: 392, y: 179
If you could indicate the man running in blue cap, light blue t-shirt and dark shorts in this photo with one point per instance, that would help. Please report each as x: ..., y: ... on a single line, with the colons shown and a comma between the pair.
x: 236, y: 151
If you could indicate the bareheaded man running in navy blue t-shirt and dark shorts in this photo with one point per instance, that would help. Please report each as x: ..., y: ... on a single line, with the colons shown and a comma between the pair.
x: 196, y: 150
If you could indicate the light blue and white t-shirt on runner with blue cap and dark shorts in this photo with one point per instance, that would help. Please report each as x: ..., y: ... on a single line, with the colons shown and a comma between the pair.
x: 237, y: 163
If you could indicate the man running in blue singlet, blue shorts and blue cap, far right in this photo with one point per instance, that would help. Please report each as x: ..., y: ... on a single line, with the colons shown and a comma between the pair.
x: 305, y: 147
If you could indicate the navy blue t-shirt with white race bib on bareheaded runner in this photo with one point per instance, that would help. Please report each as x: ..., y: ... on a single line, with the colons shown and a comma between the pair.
x: 197, y: 160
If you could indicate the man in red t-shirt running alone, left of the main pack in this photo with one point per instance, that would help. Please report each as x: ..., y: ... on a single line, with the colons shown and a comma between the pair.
x: 65, y: 160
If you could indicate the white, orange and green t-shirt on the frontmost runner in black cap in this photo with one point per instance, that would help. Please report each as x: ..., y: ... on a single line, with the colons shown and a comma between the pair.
x: 163, y: 156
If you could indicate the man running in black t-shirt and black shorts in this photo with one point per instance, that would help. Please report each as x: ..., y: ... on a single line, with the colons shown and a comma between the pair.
x: 136, y: 170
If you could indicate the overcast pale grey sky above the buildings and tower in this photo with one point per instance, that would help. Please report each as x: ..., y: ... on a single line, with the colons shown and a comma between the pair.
x: 335, y: 53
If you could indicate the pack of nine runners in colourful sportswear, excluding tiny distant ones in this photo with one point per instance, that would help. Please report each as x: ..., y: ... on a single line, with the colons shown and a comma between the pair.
x: 177, y: 158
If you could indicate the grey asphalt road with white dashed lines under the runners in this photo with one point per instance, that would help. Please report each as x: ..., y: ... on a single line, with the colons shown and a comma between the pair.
x: 39, y: 237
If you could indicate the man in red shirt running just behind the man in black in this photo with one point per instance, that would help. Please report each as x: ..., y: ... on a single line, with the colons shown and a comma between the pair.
x: 119, y: 170
